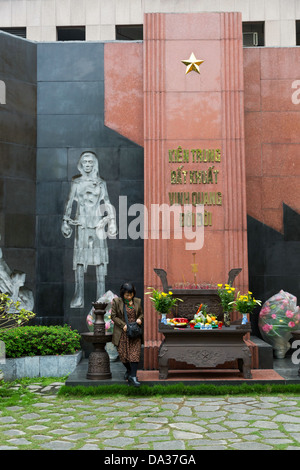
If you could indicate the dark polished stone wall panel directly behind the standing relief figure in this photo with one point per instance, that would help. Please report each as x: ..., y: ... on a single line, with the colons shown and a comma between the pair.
x: 70, y: 119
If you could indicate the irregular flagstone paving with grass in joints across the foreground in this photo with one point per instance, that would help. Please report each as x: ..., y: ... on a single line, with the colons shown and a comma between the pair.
x: 154, y: 423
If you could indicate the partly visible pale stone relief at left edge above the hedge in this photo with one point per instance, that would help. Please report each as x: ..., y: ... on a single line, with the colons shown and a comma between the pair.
x: 12, y: 284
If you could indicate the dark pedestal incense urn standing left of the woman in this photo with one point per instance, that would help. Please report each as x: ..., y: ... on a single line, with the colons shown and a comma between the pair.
x: 99, y: 363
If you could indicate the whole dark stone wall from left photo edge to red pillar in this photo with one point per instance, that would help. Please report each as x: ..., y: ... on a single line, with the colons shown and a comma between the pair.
x: 54, y: 111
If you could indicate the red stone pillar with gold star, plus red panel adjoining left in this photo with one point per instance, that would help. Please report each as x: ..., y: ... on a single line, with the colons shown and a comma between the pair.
x: 191, y: 124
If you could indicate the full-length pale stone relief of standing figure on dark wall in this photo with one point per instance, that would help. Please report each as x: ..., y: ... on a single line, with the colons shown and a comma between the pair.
x: 94, y: 220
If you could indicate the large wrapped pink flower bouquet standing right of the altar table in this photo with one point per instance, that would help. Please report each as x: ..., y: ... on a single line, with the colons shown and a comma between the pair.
x: 277, y: 319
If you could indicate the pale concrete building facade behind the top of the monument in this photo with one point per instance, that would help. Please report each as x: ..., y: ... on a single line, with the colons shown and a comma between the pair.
x: 100, y: 16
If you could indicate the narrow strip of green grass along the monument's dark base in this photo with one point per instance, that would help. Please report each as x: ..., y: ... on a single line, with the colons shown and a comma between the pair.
x: 179, y: 390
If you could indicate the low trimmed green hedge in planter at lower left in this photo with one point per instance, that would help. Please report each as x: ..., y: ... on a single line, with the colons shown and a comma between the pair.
x: 40, y: 341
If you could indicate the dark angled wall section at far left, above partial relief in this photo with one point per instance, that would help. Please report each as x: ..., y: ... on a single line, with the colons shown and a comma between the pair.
x: 18, y: 155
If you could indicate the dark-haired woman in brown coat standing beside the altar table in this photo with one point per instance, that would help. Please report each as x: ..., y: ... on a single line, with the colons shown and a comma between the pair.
x: 129, y: 349
